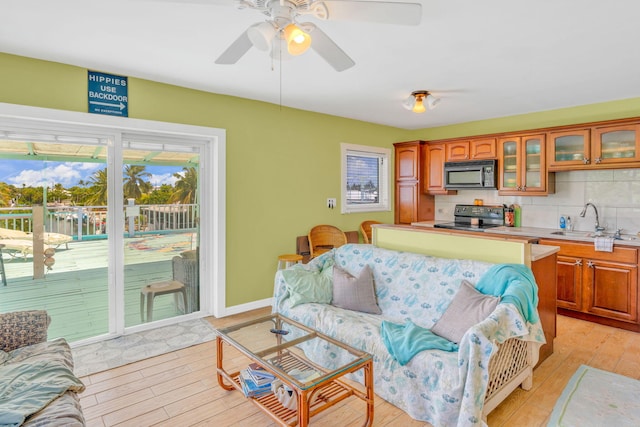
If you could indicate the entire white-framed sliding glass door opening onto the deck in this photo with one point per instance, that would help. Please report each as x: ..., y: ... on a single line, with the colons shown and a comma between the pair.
x: 102, y: 227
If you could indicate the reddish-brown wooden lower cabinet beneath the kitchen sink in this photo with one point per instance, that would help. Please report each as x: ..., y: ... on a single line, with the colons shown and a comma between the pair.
x: 598, y: 285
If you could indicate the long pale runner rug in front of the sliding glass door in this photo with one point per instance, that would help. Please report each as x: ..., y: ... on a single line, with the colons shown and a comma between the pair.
x: 91, y: 358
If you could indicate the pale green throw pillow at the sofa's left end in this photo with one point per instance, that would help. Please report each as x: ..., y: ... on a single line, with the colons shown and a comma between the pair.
x: 309, y: 286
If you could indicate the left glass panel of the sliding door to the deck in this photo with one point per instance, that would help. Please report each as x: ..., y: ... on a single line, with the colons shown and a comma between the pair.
x: 54, y: 246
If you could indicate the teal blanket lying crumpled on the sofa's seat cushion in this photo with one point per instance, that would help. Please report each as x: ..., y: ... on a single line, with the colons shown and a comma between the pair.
x: 405, y: 341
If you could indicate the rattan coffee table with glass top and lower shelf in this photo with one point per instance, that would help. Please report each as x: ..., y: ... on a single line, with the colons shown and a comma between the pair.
x: 277, y: 344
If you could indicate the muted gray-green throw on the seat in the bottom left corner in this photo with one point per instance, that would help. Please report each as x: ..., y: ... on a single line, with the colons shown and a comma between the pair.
x: 26, y: 388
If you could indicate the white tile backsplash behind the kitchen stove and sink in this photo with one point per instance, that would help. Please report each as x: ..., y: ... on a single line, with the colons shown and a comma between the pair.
x: 616, y: 194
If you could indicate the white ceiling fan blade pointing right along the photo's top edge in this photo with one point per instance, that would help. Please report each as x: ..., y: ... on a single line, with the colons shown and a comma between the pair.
x: 374, y: 11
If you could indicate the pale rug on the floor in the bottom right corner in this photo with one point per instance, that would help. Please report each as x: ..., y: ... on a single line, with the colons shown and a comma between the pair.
x: 594, y: 397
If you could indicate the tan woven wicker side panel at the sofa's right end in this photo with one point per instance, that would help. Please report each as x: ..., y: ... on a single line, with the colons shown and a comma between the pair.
x: 511, y: 366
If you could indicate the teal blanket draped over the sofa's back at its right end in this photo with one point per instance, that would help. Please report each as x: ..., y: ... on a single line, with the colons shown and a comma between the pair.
x: 515, y: 284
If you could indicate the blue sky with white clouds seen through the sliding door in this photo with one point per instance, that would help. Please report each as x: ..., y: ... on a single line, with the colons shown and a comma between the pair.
x: 40, y: 173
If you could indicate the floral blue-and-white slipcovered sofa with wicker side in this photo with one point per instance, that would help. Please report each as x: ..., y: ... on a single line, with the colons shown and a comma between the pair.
x: 445, y: 385
